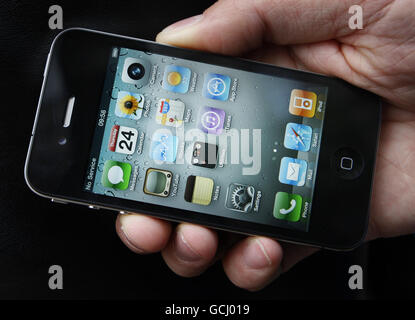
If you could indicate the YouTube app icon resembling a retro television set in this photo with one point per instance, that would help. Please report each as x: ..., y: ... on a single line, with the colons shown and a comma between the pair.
x: 157, y: 182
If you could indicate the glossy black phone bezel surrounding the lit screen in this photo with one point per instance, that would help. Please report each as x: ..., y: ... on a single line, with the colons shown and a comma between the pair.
x: 77, y: 67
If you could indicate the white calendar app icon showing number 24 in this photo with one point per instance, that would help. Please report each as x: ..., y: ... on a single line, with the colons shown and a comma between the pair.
x: 122, y: 139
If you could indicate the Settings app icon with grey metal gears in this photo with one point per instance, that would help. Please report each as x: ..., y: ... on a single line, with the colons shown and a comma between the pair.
x: 240, y: 197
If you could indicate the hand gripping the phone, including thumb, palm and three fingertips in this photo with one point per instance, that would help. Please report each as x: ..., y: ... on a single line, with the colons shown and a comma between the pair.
x: 309, y: 35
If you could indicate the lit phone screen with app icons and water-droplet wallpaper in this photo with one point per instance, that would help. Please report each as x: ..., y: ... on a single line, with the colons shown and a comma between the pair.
x: 206, y: 138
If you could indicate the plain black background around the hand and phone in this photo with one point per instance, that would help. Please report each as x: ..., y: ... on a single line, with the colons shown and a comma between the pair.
x: 35, y: 233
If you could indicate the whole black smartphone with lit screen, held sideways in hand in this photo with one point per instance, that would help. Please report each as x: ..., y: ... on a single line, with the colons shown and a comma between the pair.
x: 135, y: 126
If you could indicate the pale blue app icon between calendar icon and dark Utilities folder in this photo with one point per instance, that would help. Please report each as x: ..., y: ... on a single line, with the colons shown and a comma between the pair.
x: 163, y: 146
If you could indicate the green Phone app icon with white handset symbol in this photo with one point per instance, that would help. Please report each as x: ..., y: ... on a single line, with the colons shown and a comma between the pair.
x: 287, y: 206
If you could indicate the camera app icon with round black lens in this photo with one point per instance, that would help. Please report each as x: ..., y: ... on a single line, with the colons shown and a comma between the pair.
x: 136, y: 71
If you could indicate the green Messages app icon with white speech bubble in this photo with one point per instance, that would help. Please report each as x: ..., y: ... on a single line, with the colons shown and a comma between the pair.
x: 116, y: 175
